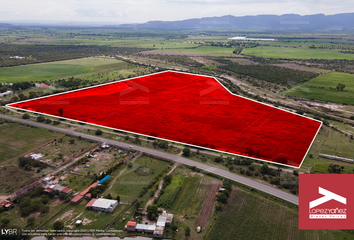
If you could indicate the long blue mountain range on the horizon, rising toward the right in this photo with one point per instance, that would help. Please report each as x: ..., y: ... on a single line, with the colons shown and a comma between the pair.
x: 343, y: 21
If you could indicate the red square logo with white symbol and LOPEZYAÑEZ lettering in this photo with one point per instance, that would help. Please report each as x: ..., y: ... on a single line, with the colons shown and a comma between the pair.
x: 326, y: 201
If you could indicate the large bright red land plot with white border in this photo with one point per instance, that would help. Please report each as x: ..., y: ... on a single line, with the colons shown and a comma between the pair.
x: 190, y: 109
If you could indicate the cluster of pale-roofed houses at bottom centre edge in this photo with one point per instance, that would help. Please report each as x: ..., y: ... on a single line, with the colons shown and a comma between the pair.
x: 157, y: 229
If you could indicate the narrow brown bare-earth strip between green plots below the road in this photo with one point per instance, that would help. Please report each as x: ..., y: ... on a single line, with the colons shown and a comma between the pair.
x: 208, y: 205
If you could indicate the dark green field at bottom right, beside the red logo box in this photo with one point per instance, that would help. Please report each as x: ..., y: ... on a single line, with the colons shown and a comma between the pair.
x: 249, y: 216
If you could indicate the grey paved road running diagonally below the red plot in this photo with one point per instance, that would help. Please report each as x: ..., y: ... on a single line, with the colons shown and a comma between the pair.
x: 275, y: 192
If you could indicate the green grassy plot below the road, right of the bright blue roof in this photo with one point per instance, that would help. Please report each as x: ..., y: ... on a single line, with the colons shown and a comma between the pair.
x: 132, y: 181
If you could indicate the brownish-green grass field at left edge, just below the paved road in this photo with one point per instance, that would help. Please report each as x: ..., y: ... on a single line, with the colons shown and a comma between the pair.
x: 16, y: 139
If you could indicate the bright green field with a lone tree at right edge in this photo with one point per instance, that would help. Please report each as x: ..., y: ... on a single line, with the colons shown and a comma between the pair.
x: 319, y: 88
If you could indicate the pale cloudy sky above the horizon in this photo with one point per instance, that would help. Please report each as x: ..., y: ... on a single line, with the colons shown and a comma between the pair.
x: 133, y: 11
